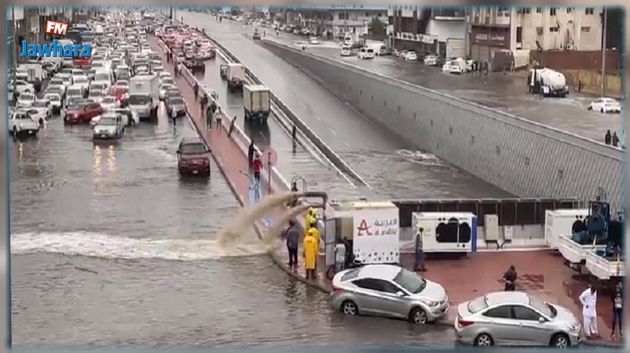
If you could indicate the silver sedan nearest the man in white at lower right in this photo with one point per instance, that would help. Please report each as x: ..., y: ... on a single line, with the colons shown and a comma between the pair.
x: 515, y: 318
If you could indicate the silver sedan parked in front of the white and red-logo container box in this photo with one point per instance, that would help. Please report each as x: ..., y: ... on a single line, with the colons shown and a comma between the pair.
x: 388, y: 290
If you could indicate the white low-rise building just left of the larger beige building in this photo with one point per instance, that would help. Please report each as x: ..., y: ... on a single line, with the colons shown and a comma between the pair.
x: 427, y: 30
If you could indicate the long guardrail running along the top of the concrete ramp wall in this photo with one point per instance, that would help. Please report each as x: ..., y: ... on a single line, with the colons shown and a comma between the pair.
x: 491, y: 113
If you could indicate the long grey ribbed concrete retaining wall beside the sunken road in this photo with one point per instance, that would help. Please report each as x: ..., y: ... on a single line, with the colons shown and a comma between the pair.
x: 520, y: 156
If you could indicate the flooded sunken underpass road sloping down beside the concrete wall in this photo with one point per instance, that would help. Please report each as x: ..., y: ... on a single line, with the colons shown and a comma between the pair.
x: 392, y: 169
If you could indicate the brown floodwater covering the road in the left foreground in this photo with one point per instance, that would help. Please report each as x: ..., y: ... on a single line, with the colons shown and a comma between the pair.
x: 110, y: 246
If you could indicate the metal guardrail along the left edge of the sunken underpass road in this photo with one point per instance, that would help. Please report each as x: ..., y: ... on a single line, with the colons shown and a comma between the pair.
x: 310, y: 134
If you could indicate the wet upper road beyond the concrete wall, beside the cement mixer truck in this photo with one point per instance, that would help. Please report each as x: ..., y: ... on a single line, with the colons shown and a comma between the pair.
x: 507, y: 93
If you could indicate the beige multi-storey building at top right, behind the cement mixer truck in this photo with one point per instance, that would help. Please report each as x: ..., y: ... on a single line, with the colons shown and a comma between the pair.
x: 504, y: 36
